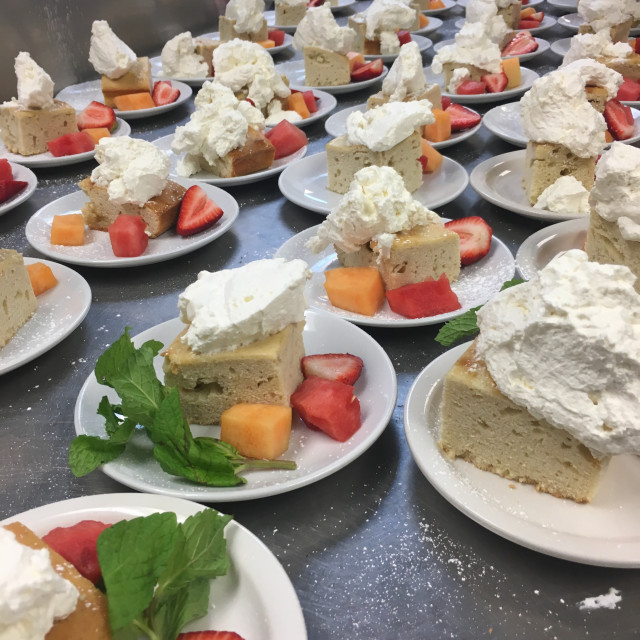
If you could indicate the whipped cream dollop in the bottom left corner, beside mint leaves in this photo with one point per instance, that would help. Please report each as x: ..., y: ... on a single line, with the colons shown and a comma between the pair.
x: 32, y: 595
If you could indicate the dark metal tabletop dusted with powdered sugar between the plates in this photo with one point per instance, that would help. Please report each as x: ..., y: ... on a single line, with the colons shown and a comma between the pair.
x: 373, y: 550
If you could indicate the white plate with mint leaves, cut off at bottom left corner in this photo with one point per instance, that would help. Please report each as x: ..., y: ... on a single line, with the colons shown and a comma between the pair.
x: 255, y: 599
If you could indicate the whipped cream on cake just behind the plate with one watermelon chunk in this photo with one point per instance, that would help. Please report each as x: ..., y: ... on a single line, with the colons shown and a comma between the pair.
x: 246, y: 66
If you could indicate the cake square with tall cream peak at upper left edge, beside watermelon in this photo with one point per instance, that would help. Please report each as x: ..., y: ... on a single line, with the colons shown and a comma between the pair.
x: 32, y: 120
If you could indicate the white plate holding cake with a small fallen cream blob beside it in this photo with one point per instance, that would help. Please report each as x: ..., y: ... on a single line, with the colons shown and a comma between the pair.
x: 499, y: 180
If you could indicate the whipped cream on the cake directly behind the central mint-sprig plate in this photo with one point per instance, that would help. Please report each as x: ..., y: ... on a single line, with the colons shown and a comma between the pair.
x: 376, y: 207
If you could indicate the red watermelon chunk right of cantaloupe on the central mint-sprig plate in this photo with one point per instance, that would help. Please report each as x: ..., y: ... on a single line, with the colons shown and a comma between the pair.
x: 329, y: 406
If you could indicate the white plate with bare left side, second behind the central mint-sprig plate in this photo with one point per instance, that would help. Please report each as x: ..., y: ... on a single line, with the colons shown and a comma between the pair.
x: 305, y: 184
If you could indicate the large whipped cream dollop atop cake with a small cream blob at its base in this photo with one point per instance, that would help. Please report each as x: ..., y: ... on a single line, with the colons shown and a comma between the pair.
x: 556, y: 109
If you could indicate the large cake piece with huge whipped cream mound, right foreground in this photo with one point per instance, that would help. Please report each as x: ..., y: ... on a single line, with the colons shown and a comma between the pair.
x: 548, y: 392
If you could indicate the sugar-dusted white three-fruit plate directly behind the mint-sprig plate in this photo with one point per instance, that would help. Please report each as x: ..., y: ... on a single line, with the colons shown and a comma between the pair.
x: 477, y: 282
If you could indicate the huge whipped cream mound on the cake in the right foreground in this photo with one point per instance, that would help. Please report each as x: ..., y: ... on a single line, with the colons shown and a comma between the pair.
x: 566, y: 345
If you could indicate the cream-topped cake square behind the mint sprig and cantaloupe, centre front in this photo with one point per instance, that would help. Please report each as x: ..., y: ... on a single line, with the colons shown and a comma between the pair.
x: 243, y: 339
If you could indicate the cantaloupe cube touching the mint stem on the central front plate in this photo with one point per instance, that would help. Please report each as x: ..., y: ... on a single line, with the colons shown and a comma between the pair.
x: 257, y: 430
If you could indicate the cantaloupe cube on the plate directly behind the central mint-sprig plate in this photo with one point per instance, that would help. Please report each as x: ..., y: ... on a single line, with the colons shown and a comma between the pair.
x: 357, y: 289
